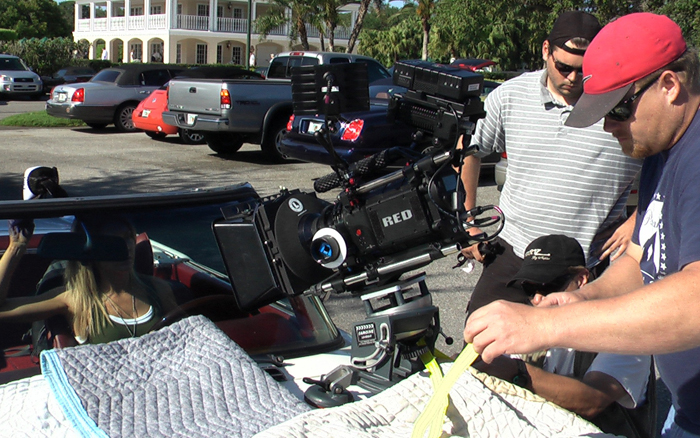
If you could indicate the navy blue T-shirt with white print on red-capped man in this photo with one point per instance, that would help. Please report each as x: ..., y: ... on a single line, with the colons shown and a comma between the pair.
x: 668, y: 230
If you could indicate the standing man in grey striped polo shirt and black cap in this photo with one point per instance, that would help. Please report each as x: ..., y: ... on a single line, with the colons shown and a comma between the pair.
x: 560, y: 180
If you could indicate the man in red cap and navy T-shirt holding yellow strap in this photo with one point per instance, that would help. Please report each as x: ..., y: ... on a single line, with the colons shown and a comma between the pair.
x: 643, y: 80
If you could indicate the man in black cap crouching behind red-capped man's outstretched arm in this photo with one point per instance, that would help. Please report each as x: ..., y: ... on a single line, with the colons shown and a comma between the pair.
x: 607, y: 389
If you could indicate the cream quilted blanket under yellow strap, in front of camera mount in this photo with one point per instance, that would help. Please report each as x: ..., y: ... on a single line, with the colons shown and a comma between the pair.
x: 480, y: 406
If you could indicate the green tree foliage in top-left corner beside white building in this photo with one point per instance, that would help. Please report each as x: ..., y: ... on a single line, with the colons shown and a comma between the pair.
x: 34, y: 18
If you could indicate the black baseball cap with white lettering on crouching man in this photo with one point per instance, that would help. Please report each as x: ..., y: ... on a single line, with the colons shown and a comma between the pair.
x: 548, y: 258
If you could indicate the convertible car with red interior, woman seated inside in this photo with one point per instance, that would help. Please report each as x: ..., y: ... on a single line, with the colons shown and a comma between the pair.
x: 177, y: 242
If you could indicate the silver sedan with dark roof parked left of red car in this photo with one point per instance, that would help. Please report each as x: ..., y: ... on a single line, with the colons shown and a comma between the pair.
x: 111, y: 96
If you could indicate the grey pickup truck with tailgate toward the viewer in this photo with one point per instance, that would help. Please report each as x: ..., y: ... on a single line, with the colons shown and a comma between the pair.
x: 233, y: 112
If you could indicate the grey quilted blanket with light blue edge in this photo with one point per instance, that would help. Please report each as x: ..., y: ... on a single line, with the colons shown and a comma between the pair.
x: 187, y: 380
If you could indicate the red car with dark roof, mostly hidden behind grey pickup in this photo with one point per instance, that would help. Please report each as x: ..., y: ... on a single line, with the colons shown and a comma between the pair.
x: 148, y: 115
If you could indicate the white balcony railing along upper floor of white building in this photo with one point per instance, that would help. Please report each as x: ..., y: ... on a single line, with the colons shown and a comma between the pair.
x: 187, y: 22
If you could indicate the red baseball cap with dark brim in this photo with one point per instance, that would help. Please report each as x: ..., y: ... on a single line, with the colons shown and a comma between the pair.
x: 624, y: 51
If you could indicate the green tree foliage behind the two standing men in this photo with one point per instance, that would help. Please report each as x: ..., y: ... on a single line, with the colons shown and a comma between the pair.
x: 510, y: 32
